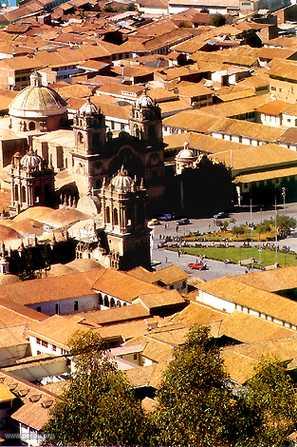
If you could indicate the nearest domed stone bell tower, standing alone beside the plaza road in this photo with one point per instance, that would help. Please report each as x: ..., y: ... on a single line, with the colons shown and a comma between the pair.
x: 123, y: 213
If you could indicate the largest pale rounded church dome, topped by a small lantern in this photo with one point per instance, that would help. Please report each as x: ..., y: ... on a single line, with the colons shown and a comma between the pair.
x: 37, y: 100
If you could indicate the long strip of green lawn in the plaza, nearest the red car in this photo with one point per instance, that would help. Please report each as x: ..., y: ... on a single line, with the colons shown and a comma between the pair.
x: 235, y: 254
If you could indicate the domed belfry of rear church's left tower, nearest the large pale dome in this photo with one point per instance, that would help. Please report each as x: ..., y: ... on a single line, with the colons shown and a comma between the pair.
x: 89, y: 129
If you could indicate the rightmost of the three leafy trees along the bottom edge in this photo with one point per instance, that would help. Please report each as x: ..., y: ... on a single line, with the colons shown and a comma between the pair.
x: 266, y: 409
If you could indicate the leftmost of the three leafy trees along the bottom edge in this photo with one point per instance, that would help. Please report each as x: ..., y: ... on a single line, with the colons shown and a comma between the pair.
x: 98, y: 406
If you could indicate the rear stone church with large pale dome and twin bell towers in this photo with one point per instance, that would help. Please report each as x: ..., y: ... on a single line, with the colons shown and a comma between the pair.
x: 82, y: 153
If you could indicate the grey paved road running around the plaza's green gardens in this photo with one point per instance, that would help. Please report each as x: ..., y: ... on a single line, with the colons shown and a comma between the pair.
x: 216, y: 268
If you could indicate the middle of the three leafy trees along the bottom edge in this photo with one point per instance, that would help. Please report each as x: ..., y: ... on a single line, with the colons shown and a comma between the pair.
x: 194, y: 399
